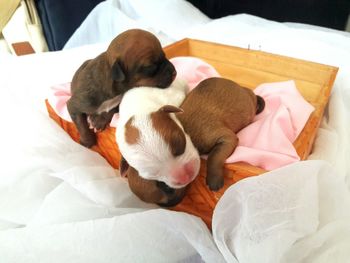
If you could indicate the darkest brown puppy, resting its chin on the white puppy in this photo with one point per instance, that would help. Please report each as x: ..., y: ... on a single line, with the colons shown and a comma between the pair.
x: 134, y: 58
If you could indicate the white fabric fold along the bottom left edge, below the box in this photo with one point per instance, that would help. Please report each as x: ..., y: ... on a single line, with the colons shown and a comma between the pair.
x: 150, y: 236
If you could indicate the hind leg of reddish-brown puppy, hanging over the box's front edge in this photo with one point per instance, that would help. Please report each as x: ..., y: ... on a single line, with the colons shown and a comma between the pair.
x: 222, y: 149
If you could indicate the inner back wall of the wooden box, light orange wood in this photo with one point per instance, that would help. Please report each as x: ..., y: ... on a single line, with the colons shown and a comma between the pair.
x: 251, y: 68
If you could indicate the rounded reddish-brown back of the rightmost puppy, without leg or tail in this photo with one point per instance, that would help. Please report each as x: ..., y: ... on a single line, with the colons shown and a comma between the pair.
x: 216, y: 104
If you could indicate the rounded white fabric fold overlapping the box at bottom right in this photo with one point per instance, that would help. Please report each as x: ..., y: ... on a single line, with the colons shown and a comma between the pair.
x: 299, y: 213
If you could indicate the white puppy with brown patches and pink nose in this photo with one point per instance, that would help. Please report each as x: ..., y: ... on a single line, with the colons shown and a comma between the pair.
x: 152, y: 140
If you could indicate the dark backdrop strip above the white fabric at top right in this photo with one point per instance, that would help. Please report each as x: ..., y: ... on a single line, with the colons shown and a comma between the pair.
x: 327, y: 13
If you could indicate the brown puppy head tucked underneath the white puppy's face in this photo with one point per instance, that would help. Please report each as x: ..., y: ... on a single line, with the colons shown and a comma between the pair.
x: 151, y: 191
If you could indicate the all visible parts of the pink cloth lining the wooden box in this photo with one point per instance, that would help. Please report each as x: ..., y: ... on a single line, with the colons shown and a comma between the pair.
x: 267, y: 142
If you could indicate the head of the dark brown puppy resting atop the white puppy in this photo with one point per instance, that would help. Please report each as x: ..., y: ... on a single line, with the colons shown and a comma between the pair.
x: 137, y: 59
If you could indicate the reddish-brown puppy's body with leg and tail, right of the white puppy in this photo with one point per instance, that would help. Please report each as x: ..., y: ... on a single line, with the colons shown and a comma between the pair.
x: 213, y: 113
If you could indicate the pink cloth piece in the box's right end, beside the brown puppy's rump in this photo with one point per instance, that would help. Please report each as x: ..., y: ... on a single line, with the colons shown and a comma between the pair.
x: 268, y: 141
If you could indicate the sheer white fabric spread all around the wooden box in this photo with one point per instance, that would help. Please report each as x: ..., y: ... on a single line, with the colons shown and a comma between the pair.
x: 60, y: 202
